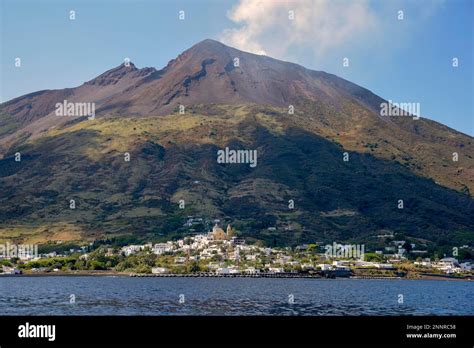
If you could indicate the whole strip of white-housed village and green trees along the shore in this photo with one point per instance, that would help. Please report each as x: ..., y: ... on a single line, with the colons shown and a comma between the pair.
x: 220, y: 252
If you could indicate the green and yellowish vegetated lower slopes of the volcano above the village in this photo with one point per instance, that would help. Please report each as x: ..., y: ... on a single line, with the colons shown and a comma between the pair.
x: 173, y: 158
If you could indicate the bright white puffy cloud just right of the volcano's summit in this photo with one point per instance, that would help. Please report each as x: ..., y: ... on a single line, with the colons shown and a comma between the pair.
x: 264, y: 26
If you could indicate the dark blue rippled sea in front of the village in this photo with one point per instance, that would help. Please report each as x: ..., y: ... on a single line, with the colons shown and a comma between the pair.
x: 232, y: 296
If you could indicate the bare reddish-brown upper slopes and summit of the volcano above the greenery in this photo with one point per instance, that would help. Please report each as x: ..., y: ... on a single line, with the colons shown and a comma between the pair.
x: 205, y: 74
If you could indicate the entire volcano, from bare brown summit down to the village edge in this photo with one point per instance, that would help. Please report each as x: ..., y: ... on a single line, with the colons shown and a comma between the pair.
x: 321, y: 142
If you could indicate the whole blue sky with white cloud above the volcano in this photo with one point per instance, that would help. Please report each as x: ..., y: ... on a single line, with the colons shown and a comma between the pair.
x: 407, y: 60
